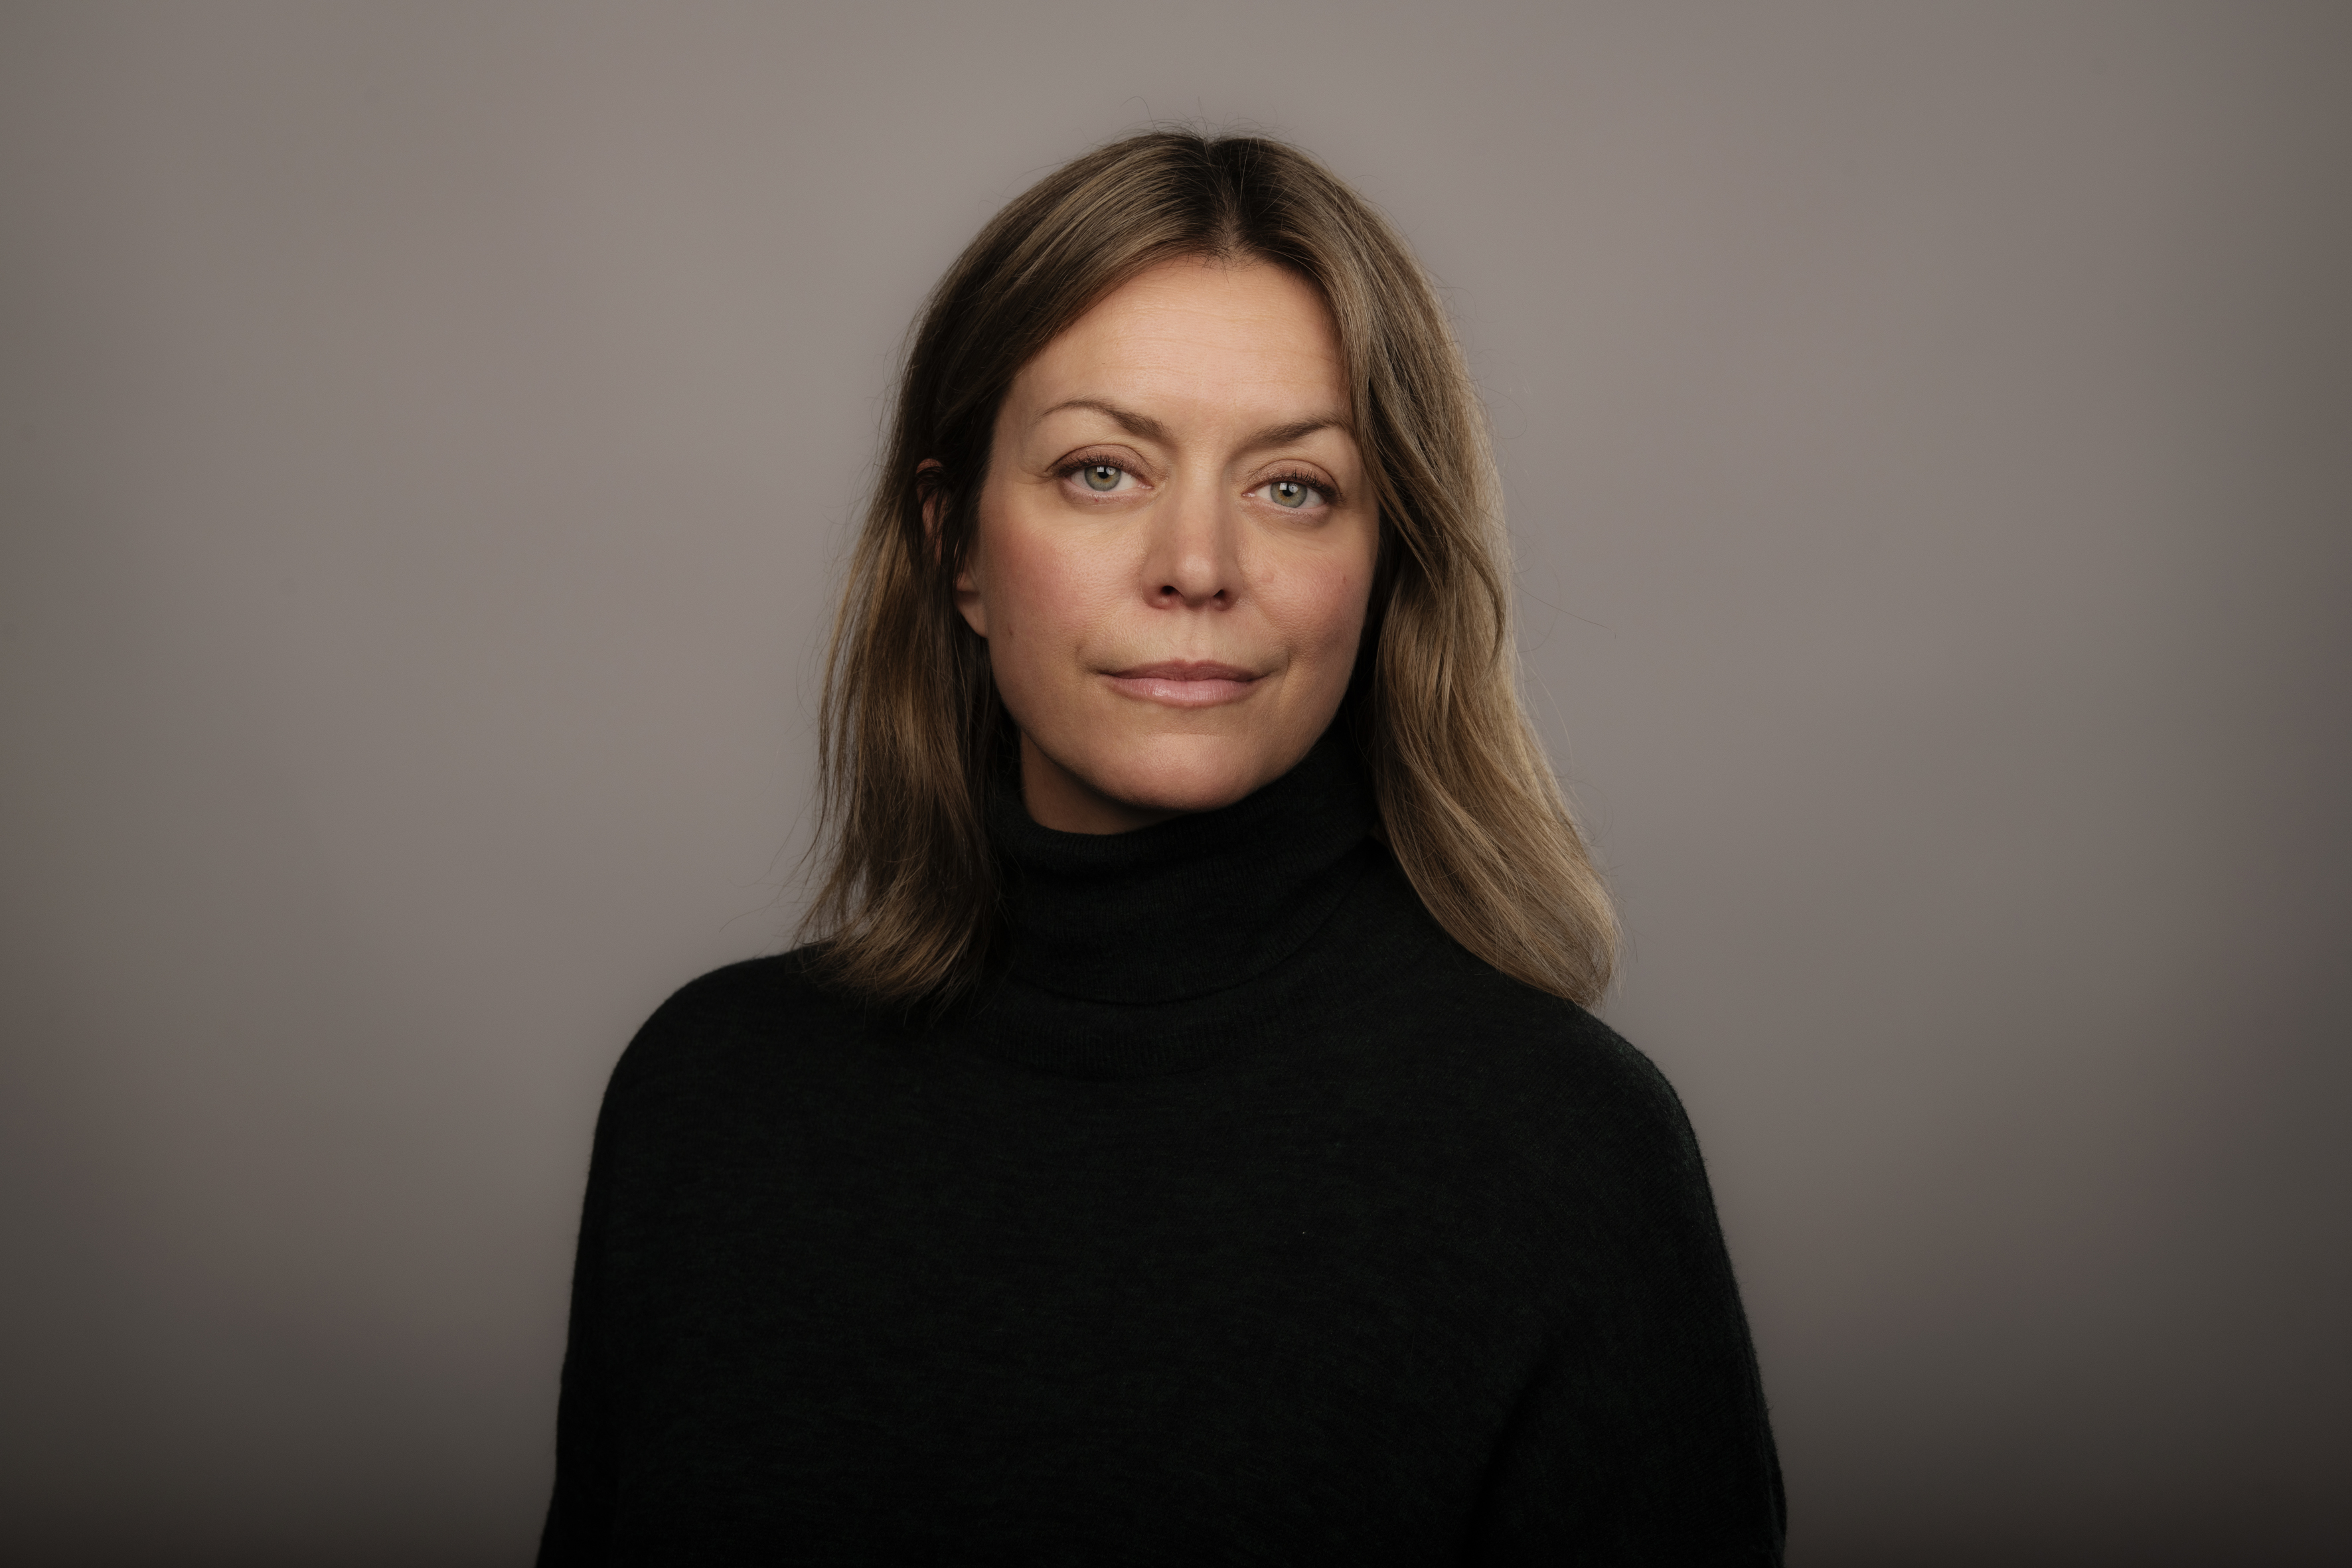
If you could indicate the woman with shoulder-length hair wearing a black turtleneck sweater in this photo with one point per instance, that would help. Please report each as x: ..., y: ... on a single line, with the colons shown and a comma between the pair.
x: 1184, y: 1141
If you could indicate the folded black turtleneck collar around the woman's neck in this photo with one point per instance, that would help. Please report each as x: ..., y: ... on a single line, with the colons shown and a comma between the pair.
x: 1191, y: 906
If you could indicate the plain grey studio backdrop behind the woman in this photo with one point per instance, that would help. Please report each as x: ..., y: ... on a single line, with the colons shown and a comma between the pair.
x: 432, y: 436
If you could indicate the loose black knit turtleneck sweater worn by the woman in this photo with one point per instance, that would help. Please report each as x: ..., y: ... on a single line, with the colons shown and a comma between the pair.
x: 1245, y: 1221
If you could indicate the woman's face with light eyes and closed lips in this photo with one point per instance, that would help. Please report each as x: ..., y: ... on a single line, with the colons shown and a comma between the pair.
x: 1175, y: 547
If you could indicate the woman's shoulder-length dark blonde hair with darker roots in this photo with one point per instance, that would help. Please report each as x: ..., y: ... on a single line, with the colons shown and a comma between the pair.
x: 911, y: 730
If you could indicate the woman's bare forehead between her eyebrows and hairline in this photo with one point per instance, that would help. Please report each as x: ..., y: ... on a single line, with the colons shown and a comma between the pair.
x: 1198, y: 333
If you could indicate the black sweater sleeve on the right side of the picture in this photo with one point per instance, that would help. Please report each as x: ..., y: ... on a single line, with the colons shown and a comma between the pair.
x: 1641, y: 1435
